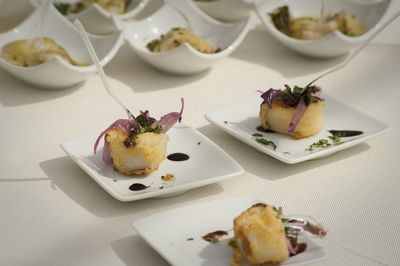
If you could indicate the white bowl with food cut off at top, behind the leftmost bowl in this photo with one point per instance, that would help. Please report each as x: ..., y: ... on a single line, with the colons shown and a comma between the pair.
x: 98, y: 15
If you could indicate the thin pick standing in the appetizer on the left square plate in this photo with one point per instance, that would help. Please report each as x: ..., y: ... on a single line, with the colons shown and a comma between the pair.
x: 99, y: 68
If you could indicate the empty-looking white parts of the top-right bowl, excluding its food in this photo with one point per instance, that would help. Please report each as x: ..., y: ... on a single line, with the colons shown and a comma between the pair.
x: 334, y: 43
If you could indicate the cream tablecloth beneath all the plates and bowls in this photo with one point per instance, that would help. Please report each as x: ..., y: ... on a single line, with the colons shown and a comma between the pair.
x: 52, y: 213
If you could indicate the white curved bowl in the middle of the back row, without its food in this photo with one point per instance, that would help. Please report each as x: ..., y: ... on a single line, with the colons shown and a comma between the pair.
x: 184, y: 59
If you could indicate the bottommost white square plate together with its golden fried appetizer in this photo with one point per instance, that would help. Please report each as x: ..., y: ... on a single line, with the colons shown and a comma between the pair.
x: 209, y: 232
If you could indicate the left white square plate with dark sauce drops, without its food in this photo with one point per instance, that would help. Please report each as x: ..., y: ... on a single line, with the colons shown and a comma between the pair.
x: 207, y: 164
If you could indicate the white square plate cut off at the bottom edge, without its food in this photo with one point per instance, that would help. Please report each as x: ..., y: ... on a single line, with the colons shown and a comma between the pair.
x: 170, y: 236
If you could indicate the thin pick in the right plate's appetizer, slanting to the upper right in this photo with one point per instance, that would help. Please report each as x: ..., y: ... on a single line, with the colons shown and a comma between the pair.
x: 358, y: 50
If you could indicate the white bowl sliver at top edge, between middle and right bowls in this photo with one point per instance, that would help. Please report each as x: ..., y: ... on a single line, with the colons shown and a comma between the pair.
x: 226, y: 10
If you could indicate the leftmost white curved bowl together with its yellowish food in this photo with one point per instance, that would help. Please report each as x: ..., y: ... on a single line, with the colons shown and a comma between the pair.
x: 52, y: 56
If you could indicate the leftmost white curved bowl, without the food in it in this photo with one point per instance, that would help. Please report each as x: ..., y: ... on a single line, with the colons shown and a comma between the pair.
x: 57, y: 73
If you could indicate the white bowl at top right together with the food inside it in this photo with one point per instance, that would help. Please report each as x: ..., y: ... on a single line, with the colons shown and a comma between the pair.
x: 344, y: 25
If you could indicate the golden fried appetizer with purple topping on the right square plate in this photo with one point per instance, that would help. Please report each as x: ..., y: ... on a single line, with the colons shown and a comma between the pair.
x: 297, y: 112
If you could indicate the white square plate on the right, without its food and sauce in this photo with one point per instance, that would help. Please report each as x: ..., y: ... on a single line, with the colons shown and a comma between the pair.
x: 241, y: 120
